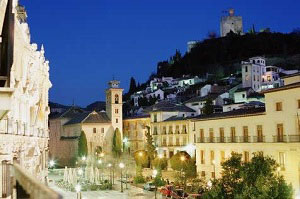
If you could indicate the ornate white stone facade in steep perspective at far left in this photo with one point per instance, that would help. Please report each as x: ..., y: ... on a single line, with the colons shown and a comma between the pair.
x: 24, y: 86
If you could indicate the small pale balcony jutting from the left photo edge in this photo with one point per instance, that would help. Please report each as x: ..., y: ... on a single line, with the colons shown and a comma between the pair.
x: 5, y: 98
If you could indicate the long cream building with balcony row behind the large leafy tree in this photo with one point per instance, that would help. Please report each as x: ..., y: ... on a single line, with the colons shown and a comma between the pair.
x: 273, y: 130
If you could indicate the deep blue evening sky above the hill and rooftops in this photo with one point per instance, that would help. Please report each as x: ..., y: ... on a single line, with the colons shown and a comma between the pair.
x: 90, y: 41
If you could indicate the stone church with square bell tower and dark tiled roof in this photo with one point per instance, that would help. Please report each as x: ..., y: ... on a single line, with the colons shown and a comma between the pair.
x: 99, y: 127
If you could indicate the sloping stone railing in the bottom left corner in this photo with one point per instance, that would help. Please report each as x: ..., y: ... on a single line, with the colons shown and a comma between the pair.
x: 33, y: 187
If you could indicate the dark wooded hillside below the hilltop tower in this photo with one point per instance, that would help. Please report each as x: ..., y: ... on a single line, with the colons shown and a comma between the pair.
x: 222, y: 56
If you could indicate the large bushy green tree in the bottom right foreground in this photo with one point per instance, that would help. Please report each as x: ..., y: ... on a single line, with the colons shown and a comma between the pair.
x: 254, y: 179
